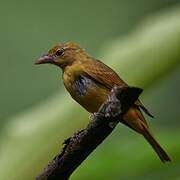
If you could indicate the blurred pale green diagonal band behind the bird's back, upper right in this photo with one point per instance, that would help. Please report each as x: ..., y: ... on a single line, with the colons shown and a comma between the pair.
x: 153, y: 46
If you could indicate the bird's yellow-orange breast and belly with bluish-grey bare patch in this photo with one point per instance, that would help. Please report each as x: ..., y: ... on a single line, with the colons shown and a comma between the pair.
x: 87, y: 92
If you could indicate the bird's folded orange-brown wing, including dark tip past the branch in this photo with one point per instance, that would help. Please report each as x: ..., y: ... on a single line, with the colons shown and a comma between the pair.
x: 107, y: 77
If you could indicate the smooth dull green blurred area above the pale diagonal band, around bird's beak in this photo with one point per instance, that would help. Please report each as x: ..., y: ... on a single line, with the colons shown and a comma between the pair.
x: 29, y: 28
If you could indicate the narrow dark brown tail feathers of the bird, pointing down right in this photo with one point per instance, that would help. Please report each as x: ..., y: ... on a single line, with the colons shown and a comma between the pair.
x: 156, y: 146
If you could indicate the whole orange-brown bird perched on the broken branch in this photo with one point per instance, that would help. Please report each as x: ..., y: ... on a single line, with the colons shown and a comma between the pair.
x: 89, y: 82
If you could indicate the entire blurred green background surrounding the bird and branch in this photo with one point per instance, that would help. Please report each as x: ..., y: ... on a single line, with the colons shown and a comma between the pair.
x: 140, y: 39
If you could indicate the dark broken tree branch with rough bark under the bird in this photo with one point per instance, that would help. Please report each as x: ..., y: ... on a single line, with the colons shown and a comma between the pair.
x: 78, y: 147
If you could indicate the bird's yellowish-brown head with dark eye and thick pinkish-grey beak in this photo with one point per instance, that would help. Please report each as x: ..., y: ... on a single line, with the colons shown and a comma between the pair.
x: 62, y: 55
